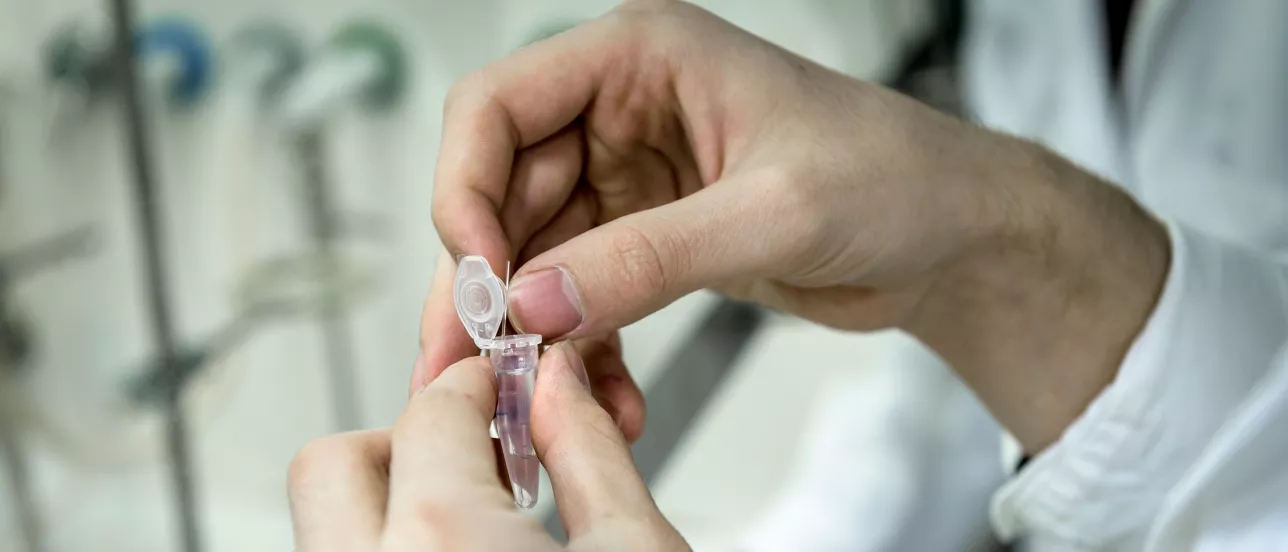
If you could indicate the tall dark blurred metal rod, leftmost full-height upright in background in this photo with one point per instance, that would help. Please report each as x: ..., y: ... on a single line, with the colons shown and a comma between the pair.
x: 147, y: 203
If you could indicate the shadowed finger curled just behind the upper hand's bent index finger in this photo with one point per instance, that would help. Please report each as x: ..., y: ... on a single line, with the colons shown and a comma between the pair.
x: 543, y: 181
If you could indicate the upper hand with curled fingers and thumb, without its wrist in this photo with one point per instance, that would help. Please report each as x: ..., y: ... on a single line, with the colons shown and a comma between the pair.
x: 660, y: 150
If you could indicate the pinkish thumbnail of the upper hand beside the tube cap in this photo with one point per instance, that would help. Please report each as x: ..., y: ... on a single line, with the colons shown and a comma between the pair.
x: 547, y: 303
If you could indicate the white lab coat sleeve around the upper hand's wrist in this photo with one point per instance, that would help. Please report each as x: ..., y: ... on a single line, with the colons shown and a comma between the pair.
x: 1219, y: 324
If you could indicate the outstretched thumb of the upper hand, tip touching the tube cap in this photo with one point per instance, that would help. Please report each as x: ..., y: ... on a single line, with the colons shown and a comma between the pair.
x: 633, y: 267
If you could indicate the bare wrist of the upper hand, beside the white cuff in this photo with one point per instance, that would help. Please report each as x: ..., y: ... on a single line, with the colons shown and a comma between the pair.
x: 1040, y: 307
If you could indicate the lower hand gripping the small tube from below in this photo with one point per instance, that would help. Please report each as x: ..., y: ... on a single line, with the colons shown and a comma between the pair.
x: 431, y: 483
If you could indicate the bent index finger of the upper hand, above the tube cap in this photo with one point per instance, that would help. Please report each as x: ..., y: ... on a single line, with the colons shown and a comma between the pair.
x: 508, y: 106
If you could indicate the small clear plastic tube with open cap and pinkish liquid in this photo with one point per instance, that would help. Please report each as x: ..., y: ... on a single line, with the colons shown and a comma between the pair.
x: 481, y: 303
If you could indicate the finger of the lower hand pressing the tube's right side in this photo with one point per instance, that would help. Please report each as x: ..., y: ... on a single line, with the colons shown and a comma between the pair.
x: 594, y: 478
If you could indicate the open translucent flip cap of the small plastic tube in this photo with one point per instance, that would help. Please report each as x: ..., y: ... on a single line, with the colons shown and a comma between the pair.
x: 480, y: 298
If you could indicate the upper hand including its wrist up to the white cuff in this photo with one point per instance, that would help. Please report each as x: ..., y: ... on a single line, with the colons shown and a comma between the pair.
x: 660, y: 150
